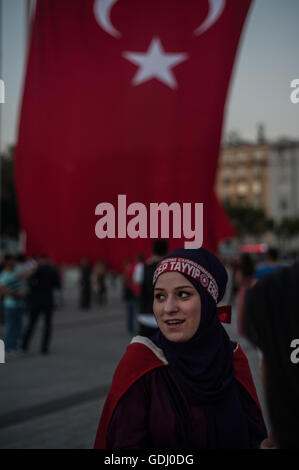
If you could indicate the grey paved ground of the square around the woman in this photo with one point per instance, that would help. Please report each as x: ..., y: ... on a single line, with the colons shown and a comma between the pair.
x: 55, y: 401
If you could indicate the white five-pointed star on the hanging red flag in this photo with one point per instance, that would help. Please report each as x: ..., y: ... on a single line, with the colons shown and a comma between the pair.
x: 155, y: 63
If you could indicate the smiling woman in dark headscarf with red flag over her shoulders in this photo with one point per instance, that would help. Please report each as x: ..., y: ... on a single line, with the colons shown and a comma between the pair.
x: 190, y: 386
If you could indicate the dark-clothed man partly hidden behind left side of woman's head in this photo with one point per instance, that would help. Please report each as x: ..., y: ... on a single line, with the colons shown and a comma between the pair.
x: 146, y: 319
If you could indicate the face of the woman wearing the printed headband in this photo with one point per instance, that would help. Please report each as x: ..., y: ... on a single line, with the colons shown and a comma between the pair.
x: 177, y: 307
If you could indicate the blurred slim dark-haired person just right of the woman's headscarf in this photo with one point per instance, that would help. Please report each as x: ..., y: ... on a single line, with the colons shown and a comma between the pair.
x: 244, y: 279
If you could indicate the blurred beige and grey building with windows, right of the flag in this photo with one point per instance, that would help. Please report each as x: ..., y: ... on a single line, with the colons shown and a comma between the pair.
x: 262, y: 175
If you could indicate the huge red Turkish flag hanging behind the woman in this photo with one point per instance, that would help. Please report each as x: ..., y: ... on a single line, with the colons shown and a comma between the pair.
x: 122, y: 97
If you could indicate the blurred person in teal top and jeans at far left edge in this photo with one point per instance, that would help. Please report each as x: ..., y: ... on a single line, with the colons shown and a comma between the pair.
x: 14, y: 291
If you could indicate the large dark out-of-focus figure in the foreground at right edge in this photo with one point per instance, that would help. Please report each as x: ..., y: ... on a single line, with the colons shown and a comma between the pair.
x: 271, y: 323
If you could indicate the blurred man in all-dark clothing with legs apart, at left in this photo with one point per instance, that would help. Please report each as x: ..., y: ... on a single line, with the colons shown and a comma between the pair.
x: 41, y: 301
